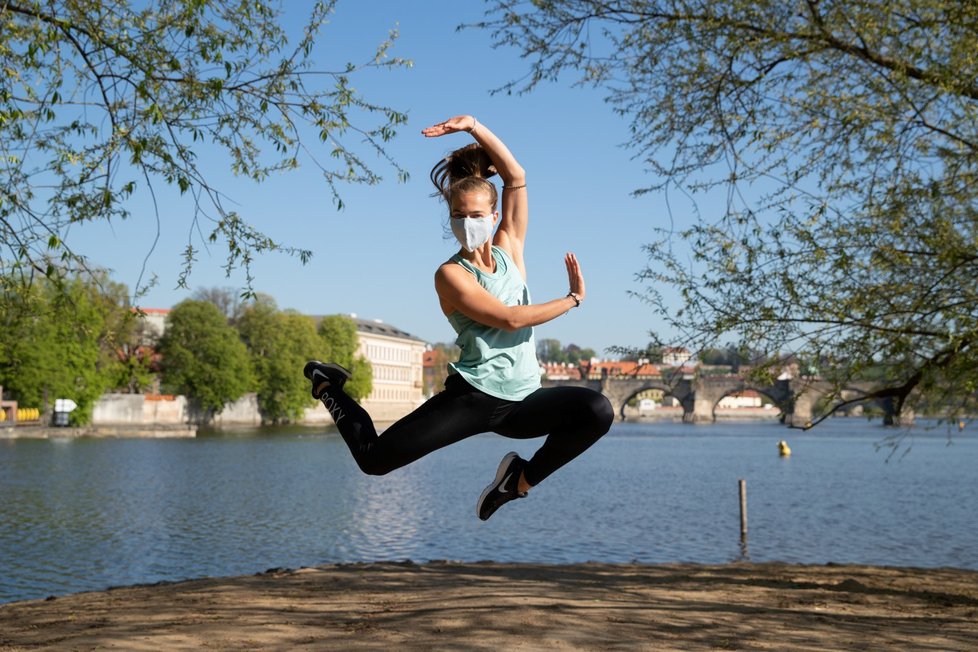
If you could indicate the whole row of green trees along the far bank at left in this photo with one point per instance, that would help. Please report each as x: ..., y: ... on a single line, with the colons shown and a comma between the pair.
x: 82, y: 339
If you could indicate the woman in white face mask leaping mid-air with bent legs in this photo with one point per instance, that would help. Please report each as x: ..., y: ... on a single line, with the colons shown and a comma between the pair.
x: 495, y: 385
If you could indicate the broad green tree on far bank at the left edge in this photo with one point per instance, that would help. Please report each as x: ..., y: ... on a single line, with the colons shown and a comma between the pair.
x: 60, y: 340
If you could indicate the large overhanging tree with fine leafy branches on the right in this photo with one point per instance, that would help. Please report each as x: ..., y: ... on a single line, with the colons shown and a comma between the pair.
x: 832, y: 150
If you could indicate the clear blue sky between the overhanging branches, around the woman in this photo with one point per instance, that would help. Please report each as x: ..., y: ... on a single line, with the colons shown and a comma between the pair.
x: 377, y: 256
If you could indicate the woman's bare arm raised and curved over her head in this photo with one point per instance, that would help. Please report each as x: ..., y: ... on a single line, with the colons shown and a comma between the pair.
x: 511, y: 234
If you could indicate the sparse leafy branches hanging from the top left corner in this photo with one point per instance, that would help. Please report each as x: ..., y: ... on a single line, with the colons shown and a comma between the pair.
x: 101, y: 102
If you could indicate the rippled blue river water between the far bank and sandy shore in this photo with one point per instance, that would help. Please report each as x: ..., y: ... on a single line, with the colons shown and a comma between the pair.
x: 87, y: 514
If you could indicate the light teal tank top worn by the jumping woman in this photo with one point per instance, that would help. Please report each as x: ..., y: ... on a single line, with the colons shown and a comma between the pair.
x: 500, y: 363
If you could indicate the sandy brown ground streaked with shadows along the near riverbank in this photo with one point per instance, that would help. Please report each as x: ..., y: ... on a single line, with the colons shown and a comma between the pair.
x: 489, y: 606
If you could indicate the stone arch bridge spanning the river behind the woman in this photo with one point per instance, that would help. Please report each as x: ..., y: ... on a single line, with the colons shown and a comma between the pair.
x: 796, y: 398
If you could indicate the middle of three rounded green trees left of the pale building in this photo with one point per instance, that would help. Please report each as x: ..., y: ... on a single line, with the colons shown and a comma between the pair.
x: 280, y: 343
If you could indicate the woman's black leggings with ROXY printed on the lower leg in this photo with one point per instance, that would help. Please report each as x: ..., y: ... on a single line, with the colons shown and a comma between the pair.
x: 572, y: 418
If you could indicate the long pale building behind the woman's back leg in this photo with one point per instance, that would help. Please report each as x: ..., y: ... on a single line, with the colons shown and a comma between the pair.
x: 396, y: 358
